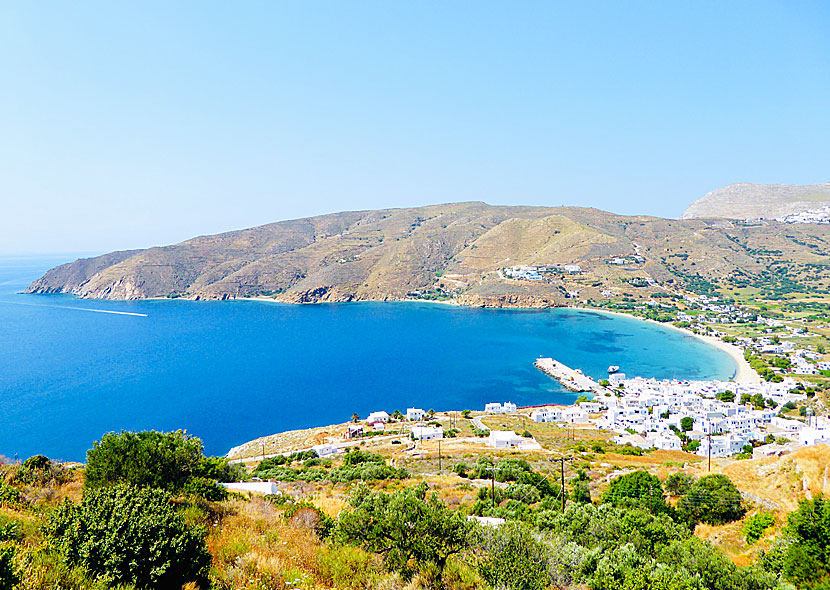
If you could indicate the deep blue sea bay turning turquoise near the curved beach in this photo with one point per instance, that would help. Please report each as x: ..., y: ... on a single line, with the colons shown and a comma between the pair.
x: 229, y: 372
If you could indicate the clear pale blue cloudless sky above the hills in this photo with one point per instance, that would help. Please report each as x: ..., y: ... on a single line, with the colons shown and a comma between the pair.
x: 130, y: 124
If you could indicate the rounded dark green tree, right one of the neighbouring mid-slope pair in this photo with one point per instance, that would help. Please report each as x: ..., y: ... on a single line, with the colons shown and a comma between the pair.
x: 712, y: 499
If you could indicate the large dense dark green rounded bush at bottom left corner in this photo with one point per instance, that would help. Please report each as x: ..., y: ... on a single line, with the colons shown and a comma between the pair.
x: 129, y: 535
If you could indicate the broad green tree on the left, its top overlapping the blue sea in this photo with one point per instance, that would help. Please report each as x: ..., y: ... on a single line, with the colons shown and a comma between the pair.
x: 171, y: 461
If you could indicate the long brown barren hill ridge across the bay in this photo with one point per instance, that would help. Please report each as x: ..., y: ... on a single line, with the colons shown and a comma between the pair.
x: 458, y: 251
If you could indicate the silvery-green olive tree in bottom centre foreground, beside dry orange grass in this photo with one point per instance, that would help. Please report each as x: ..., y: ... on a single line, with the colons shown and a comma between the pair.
x: 412, y: 531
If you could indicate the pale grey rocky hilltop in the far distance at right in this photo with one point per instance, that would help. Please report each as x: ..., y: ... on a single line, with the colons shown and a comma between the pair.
x: 755, y: 201
